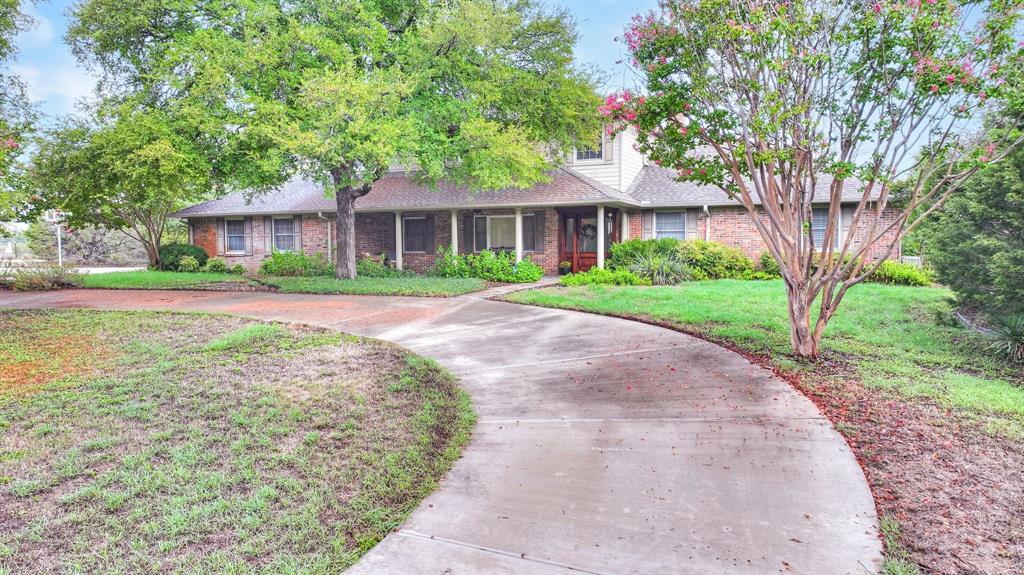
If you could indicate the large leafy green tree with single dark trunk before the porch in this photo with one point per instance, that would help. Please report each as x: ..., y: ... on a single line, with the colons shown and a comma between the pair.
x: 340, y: 91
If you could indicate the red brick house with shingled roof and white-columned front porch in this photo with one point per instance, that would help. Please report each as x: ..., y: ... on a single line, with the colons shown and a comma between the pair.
x: 601, y: 197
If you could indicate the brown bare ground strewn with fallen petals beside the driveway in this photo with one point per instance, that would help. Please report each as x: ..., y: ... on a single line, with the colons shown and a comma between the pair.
x: 957, y: 492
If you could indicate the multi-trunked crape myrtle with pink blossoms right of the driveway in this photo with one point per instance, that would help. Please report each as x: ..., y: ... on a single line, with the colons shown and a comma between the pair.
x: 784, y: 105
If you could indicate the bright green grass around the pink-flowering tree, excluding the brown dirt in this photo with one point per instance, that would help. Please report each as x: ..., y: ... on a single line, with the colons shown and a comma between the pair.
x: 895, y: 338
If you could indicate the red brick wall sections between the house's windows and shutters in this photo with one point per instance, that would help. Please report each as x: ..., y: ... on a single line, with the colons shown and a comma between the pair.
x: 375, y: 235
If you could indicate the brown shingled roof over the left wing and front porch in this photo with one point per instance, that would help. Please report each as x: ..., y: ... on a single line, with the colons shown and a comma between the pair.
x: 399, y: 192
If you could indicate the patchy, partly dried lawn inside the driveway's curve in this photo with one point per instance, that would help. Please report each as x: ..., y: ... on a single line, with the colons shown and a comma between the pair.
x: 186, y: 444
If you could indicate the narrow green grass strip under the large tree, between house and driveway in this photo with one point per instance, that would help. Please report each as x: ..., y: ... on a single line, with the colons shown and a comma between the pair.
x: 419, y: 286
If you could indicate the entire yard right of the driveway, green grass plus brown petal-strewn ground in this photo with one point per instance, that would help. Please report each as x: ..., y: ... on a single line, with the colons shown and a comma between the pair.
x: 936, y: 420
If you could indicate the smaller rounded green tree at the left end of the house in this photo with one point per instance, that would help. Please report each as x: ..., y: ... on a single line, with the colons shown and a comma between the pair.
x: 122, y: 167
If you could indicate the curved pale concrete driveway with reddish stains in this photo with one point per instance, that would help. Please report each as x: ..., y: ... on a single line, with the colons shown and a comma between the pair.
x: 604, y: 446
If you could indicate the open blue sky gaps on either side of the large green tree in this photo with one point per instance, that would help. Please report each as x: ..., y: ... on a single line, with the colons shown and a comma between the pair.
x: 57, y: 81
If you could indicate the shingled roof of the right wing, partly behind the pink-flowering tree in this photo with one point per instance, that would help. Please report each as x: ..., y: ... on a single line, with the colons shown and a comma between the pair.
x: 657, y: 188
